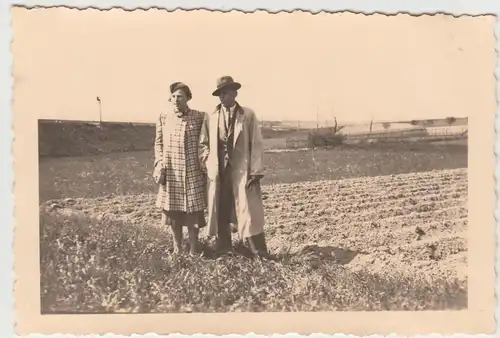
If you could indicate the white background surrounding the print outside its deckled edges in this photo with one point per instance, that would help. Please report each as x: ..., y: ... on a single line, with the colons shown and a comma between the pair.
x: 387, y: 7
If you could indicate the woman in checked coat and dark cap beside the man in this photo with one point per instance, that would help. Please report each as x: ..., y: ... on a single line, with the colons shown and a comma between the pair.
x: 177, y: 170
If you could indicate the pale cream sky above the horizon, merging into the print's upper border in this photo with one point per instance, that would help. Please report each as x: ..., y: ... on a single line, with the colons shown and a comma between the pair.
x: 291, y: 66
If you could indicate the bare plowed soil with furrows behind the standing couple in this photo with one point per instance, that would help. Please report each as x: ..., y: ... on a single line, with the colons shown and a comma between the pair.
x: 412, y: 223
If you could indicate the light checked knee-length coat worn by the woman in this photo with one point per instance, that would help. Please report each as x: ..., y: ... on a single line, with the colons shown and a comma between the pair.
x: 176, y: 148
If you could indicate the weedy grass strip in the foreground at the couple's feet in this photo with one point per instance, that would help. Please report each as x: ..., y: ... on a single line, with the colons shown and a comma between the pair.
x: 91, y: 265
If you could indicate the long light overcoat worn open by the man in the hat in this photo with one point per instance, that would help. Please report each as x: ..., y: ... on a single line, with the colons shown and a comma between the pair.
x: 246, y: 160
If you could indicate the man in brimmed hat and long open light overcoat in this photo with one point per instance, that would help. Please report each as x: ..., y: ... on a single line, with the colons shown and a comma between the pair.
x: 232, y: 154
